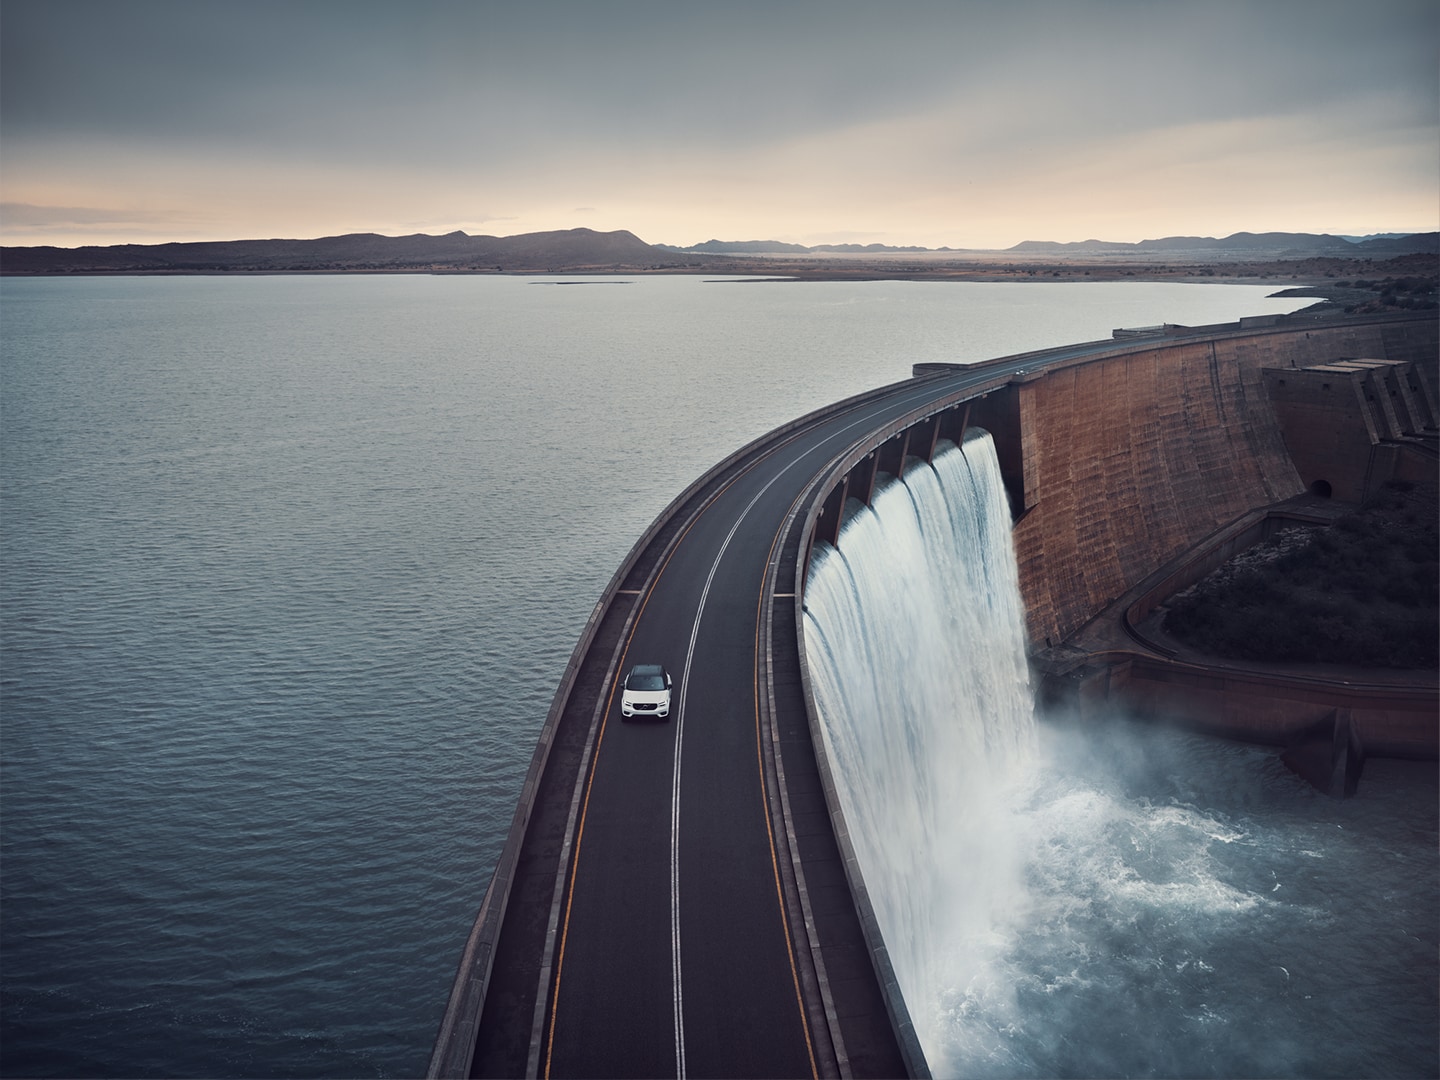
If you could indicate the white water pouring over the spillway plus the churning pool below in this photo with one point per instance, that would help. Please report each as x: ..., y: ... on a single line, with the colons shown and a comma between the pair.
x: 1104, y: 901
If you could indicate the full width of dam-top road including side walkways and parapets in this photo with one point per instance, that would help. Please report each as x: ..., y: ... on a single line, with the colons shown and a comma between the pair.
x: 678, y: 901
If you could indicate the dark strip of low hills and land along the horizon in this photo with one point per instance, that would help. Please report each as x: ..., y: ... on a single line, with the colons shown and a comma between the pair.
x: 1249, y: 258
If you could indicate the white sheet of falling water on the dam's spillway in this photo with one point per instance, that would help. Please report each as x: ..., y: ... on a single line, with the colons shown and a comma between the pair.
x: 915, y: 636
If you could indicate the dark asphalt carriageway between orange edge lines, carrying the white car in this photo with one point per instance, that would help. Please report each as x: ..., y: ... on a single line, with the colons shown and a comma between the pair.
x: 675, y: 955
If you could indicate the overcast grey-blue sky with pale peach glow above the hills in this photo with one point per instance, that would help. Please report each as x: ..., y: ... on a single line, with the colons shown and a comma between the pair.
x: 966, y: 123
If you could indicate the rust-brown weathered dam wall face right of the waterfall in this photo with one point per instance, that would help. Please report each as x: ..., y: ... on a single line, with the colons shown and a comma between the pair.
x: 1131, y: 460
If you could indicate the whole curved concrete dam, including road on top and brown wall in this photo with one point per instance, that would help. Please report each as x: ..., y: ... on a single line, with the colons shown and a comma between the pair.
x: 669, y: 888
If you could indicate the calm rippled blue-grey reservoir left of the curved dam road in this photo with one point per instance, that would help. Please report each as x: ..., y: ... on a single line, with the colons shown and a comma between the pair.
x: 290, y: 571
